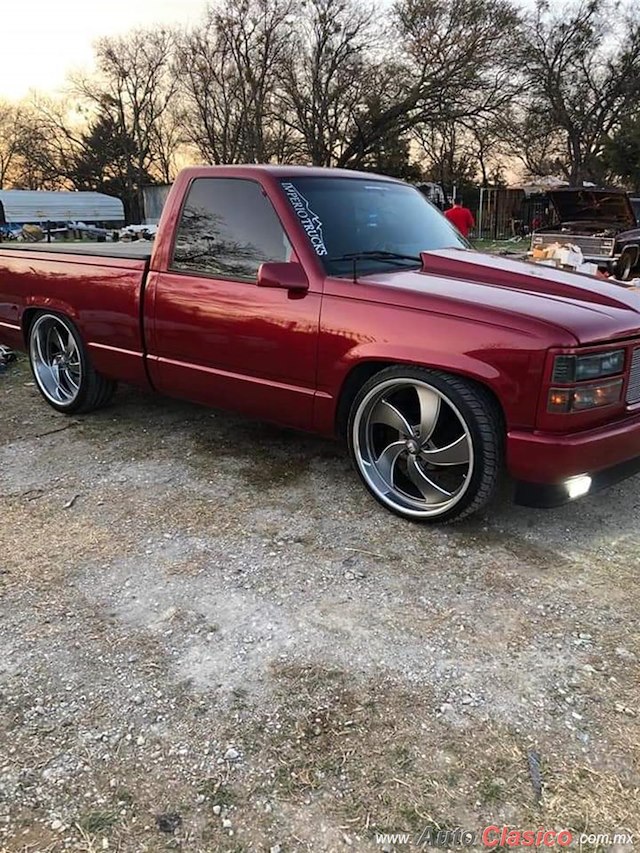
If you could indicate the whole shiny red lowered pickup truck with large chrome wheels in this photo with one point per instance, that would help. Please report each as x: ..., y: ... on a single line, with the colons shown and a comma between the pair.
x: 345, y: 304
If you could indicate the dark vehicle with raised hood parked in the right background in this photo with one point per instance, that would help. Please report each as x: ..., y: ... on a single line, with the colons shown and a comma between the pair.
x: 603, y: 223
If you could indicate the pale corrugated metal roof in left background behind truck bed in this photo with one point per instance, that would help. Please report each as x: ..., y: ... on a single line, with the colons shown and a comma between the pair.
x: 22, y: 206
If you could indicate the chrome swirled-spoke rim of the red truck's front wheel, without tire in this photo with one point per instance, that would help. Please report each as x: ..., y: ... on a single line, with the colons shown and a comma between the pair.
x: 413, y: 447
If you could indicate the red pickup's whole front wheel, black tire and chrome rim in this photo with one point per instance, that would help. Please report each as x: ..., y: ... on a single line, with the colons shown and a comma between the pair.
x: 427, y: 445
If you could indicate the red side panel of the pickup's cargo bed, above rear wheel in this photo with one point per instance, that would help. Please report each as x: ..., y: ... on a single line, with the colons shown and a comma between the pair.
x: 102, y: 295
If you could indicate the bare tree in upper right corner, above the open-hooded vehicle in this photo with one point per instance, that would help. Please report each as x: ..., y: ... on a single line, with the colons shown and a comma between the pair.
x: 579, y: 85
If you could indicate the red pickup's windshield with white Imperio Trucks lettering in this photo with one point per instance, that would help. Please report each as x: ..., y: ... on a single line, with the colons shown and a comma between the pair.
x: 381, y: 224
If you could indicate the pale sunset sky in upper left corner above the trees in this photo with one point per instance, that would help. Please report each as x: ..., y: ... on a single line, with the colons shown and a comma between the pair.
x: 44, y: 39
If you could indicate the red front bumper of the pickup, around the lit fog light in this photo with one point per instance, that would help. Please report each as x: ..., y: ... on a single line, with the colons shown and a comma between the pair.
x: 541, y: 463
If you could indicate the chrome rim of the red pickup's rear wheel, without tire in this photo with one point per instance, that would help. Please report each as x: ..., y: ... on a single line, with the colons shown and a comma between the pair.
x: 55, y: 357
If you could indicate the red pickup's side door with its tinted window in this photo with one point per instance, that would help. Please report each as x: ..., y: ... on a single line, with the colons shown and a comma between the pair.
x: 215, y: 336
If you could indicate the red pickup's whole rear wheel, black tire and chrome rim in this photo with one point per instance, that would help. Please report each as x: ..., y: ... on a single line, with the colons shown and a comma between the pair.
x: 61, y: 366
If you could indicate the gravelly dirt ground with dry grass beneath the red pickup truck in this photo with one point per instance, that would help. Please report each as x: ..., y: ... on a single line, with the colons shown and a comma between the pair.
x: 212, y: 639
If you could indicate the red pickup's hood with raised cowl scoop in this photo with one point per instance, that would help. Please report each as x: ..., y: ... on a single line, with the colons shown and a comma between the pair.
x: 519, y: 295
